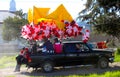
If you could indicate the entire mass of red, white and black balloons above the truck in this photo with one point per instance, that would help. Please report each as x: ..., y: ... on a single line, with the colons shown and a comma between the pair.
x: 49, y: 29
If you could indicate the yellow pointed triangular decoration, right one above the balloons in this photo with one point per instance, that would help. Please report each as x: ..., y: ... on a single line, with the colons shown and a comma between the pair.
x: 60, y: 14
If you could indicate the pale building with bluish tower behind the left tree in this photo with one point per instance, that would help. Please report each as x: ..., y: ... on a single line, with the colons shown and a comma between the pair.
x: 4, y: 46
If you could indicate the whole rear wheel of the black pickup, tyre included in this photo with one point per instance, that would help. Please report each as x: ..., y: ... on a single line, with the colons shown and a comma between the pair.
x: 47, y: 66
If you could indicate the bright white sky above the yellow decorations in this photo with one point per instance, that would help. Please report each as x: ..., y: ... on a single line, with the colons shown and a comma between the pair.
x: 72, y: 6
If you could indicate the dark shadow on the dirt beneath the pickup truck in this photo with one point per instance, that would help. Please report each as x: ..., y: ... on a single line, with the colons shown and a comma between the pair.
x: 76, y: 70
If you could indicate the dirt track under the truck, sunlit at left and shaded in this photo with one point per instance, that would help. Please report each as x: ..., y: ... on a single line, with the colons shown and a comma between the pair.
x: 76, y: 70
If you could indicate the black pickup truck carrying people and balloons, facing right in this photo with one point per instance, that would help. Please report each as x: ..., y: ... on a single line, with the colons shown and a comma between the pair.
x: 71, y: 56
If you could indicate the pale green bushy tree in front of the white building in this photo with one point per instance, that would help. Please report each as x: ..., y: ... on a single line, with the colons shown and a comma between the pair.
x: 12, y: 26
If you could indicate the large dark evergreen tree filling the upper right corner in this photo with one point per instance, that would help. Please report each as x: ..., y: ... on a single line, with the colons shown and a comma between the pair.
x: 104, y: 15
